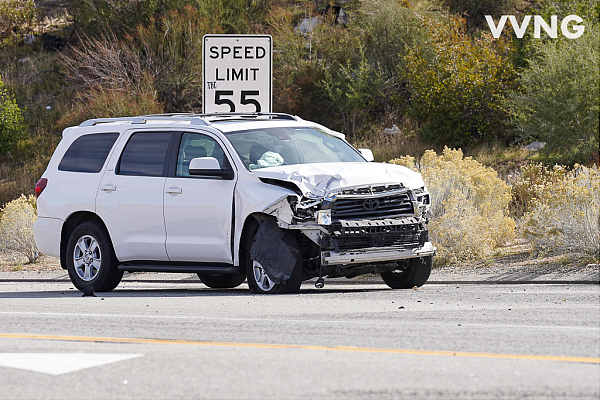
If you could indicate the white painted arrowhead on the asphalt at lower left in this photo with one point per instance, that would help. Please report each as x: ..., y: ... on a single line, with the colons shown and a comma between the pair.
x: 58, y: 364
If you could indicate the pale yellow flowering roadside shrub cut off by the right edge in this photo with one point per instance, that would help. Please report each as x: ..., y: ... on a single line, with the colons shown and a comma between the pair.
x: 565, y: 214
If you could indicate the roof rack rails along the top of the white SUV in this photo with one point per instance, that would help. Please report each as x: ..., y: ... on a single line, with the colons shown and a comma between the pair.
x: 194, y: 118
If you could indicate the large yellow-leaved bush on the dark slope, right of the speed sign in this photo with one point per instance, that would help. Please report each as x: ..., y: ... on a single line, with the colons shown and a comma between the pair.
x: 457, y: 95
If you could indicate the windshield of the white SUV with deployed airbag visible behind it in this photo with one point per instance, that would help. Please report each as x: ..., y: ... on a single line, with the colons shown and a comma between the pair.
x: 270, y: 147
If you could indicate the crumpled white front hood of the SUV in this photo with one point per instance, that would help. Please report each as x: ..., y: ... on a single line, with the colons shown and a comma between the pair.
x: 319, y: 179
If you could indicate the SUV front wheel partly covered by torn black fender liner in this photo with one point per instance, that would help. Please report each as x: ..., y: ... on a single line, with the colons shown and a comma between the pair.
x: 260, y: 283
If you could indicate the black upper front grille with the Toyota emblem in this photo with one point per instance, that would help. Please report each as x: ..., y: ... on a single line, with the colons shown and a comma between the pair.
x: 394, y: 205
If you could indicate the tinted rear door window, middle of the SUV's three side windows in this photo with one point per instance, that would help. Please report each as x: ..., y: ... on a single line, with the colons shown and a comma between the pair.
x: 145, y: 154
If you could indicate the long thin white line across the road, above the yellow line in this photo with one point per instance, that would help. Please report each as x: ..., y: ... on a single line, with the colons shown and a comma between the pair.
x: 240, y: 319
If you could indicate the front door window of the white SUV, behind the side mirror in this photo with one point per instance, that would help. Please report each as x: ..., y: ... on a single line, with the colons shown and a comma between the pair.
x: 198, y: 145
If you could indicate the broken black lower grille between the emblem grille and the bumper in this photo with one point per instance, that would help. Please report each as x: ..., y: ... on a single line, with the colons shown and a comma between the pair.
x: 349, y: 236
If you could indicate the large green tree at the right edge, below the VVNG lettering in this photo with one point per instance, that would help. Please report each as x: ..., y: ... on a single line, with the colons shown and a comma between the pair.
x: 559, y: 99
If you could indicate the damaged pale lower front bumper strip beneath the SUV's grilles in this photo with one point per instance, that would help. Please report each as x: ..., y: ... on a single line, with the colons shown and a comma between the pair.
x: 374, y: 256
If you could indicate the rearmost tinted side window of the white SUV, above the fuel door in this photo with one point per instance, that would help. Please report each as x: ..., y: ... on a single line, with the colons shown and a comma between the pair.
x: 88, y: 153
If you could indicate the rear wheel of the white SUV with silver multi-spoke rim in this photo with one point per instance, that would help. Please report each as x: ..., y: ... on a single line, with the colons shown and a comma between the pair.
x: 91, y: 259
